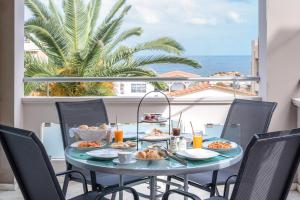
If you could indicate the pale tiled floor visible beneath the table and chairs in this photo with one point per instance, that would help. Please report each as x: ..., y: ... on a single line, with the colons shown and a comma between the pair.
x: 76, y: 189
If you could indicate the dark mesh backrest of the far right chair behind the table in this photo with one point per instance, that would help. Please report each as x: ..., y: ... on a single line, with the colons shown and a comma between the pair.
x: 252, y: 117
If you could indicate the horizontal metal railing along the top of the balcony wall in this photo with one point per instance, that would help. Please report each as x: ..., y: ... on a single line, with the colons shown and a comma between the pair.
x: 49, y: 80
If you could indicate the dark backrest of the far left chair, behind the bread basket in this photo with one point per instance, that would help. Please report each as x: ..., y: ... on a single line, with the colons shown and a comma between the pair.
x: 73, y: 114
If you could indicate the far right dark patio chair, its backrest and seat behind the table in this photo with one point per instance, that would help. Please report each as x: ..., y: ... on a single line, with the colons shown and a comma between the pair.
x: 250, y: 117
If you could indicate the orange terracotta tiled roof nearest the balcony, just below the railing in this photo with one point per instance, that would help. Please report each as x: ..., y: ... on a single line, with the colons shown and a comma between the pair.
x: 205, y: 86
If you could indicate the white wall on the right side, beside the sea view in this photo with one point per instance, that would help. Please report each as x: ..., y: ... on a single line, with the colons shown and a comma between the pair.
x: 280, y: 58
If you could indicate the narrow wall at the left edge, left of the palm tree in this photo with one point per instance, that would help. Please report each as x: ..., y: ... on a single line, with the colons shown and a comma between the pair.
x: 11, y: 73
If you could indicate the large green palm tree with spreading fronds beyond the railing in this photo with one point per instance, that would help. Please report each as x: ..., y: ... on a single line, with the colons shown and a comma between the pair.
x: 77, y: 44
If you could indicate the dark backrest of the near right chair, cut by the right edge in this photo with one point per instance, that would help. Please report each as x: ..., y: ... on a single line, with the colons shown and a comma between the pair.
x: 268, y: 167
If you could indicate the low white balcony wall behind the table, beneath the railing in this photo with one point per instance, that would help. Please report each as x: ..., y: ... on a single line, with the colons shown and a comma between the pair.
x: 39, y: 110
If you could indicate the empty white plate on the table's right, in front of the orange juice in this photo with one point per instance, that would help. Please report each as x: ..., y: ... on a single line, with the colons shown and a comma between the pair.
x: 197, y: 154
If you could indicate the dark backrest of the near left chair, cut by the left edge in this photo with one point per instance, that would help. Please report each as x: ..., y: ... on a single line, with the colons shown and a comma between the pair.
x: 30, y: 164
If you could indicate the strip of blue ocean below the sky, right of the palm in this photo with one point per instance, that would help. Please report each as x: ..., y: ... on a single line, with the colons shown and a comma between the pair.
x: 211, y: 65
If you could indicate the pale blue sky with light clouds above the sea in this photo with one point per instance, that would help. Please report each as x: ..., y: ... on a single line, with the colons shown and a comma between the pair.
x: 203, y: 27
